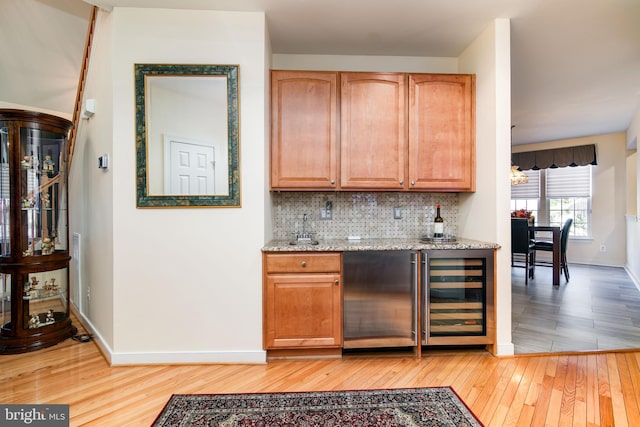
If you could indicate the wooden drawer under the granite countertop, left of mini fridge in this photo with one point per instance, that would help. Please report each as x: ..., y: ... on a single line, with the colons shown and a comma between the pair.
x: 303, y: 263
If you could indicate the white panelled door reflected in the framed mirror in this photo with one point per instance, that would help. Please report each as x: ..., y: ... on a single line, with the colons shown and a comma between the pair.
x: 190, y: 167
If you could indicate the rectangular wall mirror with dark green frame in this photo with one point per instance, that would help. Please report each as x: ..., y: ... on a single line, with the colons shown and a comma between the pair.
x: 187, y: 135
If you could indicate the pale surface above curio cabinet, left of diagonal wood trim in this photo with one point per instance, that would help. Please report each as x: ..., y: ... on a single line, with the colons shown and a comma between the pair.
x: 41, y: 48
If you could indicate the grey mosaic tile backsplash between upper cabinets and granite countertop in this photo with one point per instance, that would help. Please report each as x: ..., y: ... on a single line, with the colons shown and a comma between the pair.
x: 367, y: 215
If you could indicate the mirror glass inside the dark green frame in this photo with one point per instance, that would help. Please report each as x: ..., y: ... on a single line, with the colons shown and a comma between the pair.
x: 192, y: 109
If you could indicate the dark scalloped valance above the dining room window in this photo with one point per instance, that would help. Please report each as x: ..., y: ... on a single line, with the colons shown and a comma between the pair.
x: 555, y: 158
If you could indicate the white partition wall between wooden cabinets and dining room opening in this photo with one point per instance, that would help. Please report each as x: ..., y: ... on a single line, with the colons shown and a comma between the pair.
x: 486, y: 212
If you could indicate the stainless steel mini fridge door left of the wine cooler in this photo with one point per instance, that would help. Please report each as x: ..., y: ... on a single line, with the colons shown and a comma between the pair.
x: 380, y: 298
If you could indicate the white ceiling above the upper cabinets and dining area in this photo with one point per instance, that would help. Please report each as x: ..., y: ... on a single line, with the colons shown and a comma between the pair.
x: 575, y: 63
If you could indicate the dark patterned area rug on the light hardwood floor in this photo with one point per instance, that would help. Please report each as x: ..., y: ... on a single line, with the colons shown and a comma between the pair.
x: 434, y: 406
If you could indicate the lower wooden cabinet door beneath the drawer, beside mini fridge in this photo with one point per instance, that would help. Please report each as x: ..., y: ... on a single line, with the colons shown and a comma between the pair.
x: 303, y: 311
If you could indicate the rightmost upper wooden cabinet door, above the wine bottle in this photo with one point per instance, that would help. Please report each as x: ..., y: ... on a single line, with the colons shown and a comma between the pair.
x: 442, y: 132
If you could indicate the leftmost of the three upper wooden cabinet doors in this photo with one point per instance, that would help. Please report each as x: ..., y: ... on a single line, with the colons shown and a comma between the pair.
x: 304, y: 139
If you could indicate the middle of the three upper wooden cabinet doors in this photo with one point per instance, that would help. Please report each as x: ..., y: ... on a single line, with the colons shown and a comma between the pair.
x: 373, y: 122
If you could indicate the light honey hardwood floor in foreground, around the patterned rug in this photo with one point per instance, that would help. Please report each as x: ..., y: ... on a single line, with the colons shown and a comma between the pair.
x: 559, y: 389
